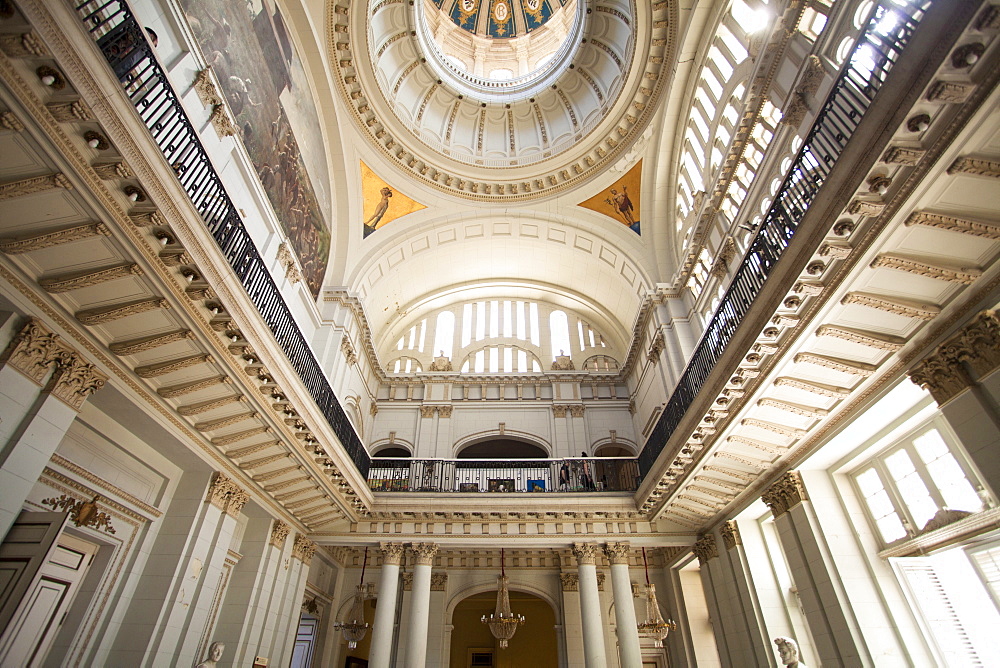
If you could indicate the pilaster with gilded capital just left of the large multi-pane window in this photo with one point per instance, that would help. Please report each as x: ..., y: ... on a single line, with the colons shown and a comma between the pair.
x: 835, y: 629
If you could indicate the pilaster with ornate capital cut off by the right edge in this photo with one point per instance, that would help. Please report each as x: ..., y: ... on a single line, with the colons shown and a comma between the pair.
x: 960, y: 376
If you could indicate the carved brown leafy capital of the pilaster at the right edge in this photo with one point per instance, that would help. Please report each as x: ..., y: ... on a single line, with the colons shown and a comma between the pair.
x: 965, y: 357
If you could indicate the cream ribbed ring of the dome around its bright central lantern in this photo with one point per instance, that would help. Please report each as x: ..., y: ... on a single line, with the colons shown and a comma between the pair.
x: 602, y: 99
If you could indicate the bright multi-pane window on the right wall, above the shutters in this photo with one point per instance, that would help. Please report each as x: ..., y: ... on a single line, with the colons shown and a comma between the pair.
x: 905, y: 486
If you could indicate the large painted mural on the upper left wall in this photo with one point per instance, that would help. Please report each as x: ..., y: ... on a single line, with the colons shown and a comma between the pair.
x: 247, y: 45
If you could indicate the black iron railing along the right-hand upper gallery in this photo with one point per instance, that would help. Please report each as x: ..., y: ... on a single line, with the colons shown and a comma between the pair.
x: 889, y: 28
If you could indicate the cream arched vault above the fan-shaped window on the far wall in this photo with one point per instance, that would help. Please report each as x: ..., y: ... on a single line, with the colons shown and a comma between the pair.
x: 488, y: 255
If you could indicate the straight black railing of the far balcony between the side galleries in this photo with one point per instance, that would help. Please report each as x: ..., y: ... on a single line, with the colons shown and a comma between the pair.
x: 600, y: 474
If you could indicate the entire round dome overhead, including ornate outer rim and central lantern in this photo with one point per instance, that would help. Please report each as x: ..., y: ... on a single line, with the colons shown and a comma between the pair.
x: 440, y: 117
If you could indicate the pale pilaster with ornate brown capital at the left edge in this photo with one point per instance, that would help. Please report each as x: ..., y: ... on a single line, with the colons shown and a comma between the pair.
x: 39, y: 408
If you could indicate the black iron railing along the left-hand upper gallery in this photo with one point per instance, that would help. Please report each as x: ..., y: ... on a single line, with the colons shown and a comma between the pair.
x: 123, y: 43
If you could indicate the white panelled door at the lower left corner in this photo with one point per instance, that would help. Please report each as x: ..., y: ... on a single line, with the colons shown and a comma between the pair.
x: 28, y: 637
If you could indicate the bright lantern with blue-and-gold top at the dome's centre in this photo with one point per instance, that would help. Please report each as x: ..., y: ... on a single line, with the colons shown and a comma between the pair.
x: 499, y: 50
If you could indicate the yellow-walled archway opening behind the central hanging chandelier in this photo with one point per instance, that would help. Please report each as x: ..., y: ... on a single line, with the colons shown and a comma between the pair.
x: 534, y: 644
